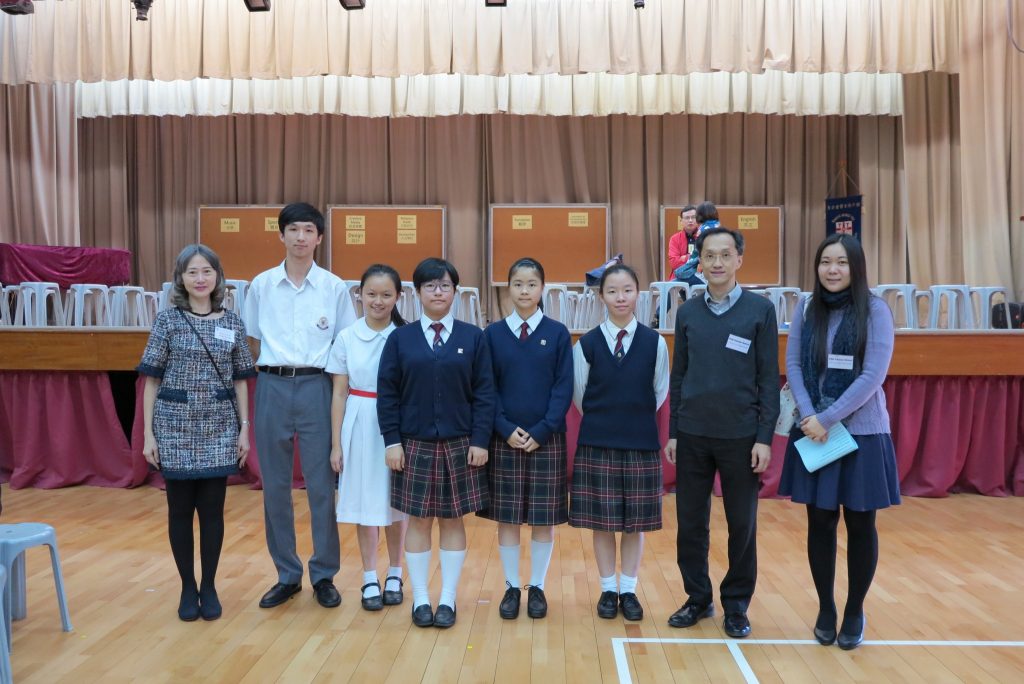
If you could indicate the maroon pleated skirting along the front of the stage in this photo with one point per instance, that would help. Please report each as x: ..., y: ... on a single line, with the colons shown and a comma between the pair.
x: 952, y: 436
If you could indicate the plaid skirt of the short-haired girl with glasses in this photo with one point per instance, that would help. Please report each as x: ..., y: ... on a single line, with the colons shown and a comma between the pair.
x: 438, y: 481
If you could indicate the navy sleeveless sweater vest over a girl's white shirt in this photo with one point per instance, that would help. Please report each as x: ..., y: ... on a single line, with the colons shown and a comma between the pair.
x: 619, y: 409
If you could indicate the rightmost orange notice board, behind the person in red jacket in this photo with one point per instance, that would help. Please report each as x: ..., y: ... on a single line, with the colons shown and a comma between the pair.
x: 762, y: 231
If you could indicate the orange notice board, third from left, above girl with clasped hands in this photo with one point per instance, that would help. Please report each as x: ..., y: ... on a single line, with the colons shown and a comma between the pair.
x: 568, y: 240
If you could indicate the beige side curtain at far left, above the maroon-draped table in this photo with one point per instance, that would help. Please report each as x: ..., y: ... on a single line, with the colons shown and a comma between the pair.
x: 38, y: 165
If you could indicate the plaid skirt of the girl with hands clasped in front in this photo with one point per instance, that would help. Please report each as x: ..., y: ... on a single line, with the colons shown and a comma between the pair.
x: 530, y: 489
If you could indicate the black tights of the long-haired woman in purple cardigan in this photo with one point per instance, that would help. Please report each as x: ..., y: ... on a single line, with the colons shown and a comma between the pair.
x: 862, y: 560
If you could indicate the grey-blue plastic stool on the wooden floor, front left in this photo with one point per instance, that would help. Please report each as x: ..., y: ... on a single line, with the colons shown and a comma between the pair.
x: 15, y: 540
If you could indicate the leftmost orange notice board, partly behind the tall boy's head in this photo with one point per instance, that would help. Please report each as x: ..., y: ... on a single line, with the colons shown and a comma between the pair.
x: 245, y: 237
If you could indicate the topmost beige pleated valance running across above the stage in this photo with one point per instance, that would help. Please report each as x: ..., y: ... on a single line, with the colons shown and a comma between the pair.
x: 98, y: 40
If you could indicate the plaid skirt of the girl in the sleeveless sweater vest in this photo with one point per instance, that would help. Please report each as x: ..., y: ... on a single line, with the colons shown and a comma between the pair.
x: 616, y: 491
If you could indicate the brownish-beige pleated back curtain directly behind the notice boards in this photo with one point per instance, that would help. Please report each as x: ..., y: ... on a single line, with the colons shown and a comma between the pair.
x: 146, y: 176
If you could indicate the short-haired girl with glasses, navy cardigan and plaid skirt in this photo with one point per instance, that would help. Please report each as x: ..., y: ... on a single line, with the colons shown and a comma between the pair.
x: 436, y: 405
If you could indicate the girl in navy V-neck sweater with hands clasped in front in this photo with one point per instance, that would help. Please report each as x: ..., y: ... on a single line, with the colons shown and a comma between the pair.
x: 533, y: 363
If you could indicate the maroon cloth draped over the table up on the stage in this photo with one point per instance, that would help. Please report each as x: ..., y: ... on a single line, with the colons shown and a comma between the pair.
x: 64, y: 266
